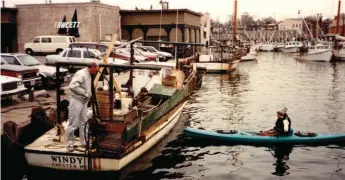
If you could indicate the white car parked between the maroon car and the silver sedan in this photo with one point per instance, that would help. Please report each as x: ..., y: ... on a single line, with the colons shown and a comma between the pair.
x: 47, y: 73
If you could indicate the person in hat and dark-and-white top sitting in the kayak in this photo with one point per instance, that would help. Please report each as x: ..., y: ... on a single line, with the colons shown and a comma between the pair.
x: 282, y: 126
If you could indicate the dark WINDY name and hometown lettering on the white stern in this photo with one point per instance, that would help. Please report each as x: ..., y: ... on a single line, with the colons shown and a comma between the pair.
x: 68, y: 162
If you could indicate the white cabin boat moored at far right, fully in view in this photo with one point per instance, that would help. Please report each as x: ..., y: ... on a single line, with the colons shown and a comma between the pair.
x: 316, y: 53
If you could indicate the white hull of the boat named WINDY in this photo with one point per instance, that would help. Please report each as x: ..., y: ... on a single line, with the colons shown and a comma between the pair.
x: 60, y: 159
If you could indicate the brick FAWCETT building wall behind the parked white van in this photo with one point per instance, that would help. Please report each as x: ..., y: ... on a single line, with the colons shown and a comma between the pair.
x: 97, y: 21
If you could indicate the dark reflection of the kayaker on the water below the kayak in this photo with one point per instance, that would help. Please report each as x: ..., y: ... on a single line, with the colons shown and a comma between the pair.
x: 281, y: 153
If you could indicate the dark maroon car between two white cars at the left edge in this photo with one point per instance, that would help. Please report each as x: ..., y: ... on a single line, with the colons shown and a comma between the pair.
x: 29, y: 75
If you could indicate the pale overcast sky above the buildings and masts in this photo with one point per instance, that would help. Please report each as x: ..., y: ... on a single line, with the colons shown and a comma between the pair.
x: 280, y: 9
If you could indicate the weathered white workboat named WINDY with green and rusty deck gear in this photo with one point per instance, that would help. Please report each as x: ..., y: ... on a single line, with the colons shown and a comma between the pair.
x: 119, y: 133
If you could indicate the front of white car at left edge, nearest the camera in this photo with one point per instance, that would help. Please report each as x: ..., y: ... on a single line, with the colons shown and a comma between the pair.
x: 11, y: 86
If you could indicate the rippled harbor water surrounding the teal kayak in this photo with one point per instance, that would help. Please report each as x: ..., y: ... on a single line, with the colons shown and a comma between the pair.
x: 248, y: 99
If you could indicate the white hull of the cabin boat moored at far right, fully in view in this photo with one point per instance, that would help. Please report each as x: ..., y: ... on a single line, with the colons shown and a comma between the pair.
x: 316, y: 56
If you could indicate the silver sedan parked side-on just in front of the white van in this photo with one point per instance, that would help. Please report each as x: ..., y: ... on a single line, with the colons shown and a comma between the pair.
x: 80, y: 55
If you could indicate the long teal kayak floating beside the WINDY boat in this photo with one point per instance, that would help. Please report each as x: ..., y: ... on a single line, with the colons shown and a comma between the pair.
x: 245, y: 137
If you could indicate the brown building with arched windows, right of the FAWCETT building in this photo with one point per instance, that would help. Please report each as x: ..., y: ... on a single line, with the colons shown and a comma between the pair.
x: 146, y: 24
